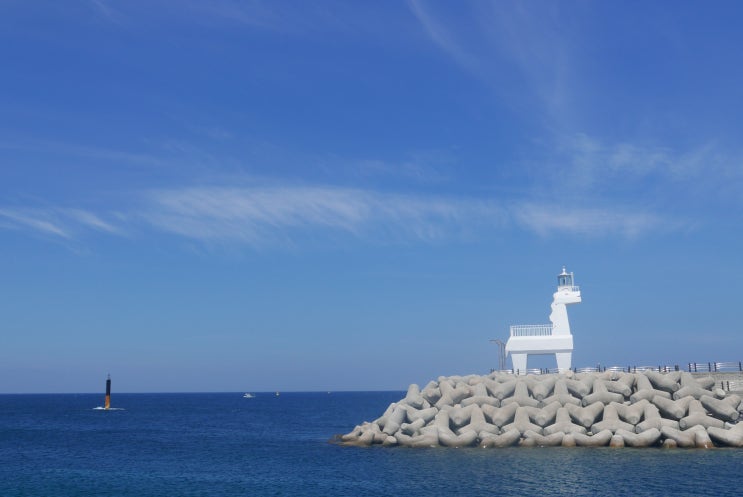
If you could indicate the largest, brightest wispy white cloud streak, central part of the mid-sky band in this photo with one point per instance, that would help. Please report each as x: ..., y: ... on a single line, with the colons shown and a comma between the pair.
x: 265, y: 215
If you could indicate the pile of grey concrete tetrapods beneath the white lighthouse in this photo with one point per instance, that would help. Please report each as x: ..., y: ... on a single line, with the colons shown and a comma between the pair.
x: 609, y: 408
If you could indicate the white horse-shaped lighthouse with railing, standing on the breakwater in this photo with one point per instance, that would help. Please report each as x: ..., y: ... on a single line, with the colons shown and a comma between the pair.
x: 552, y: 338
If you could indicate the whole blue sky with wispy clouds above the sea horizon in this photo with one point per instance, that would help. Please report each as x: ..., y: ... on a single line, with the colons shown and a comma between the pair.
x: 250, y: 196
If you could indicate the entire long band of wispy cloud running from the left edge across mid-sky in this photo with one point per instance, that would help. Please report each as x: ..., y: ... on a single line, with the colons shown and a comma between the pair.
x: 264, y: 216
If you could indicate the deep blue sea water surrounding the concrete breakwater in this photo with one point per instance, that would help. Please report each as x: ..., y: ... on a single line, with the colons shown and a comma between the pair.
x: 222, y: 444
